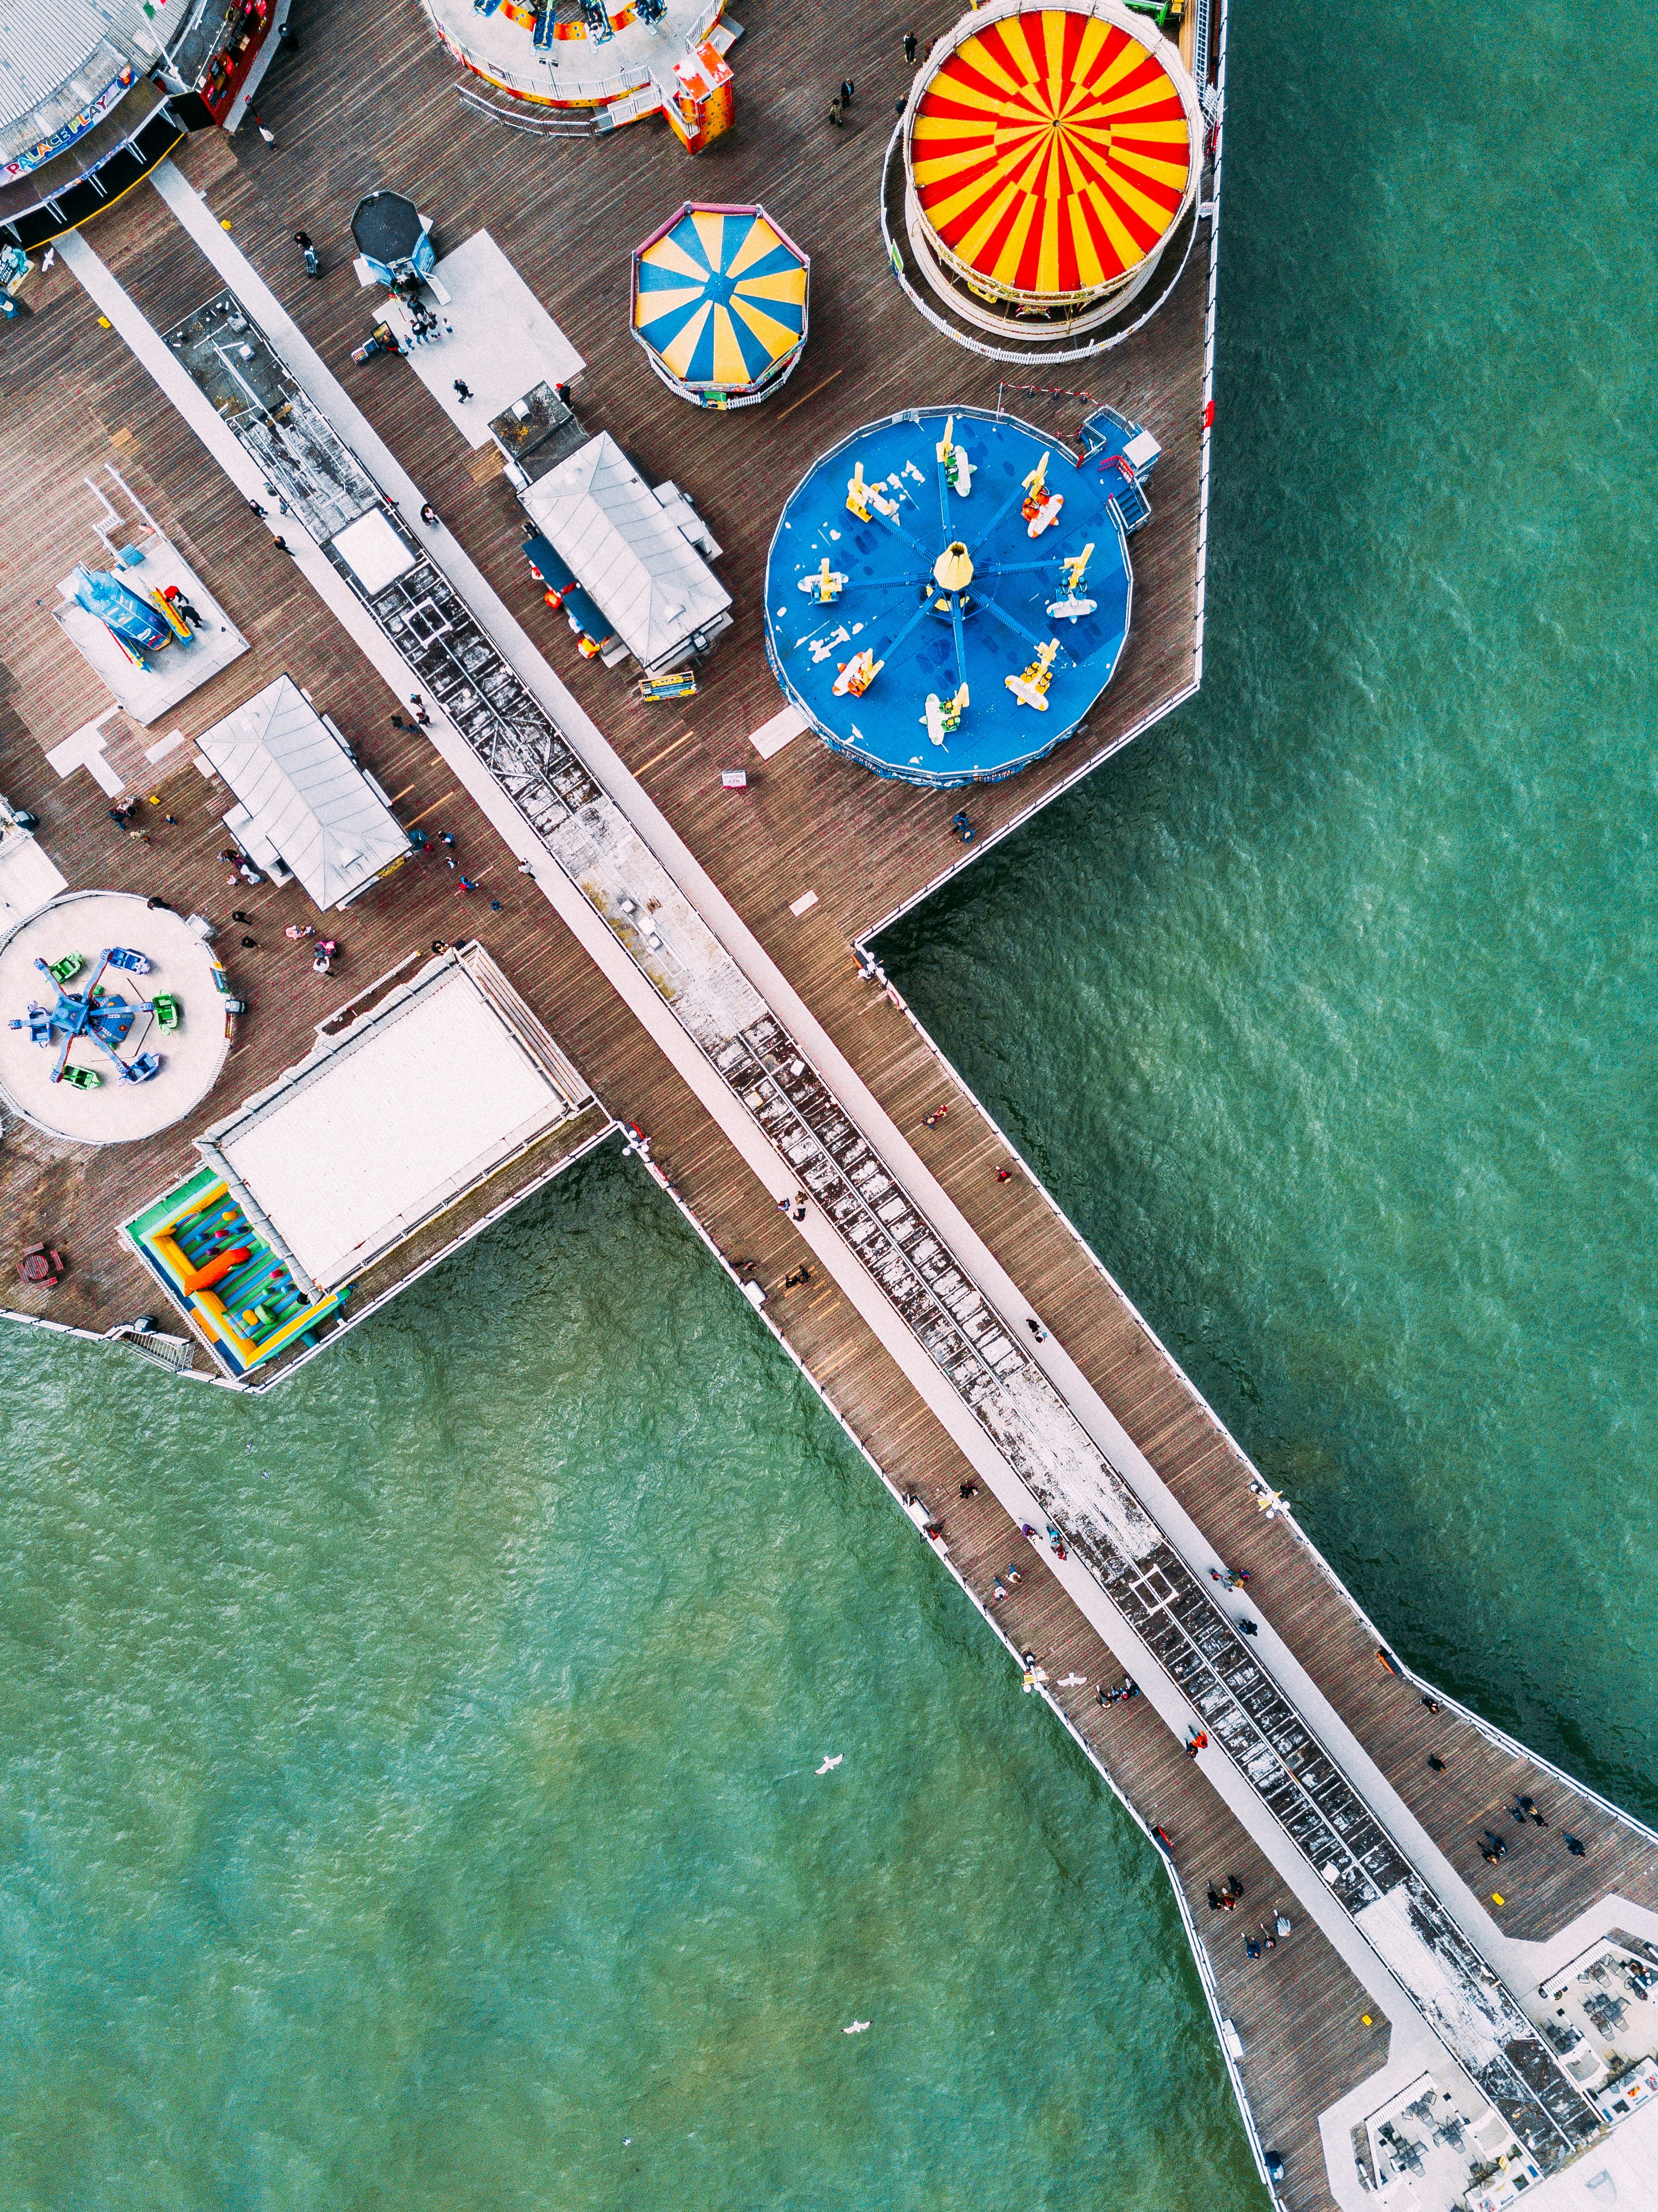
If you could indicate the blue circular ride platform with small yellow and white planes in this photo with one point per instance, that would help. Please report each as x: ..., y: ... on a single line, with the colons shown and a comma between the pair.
x: 949, y: 596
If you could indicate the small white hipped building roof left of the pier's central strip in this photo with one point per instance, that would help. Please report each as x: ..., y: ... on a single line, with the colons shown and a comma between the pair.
x: 304, y: 795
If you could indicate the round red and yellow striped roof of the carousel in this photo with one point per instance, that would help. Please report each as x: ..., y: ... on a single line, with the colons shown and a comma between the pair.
x: 1050, y: 154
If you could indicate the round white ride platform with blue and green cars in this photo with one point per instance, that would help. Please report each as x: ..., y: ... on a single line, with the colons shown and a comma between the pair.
x: 180, y: 968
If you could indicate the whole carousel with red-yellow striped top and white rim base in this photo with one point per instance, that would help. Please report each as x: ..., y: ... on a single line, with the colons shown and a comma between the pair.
x: 1050, y: 169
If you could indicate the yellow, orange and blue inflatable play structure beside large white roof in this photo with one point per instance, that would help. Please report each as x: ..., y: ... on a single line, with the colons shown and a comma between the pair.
x: 227, y: 1277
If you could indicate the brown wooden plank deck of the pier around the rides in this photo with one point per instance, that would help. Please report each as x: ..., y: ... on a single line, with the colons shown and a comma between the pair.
x: 371, y: 101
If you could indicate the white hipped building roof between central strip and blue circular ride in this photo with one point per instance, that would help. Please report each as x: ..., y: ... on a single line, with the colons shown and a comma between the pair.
x: 628, y: 554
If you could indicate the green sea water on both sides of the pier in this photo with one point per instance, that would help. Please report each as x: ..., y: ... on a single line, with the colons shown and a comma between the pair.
x: 406, y: 1784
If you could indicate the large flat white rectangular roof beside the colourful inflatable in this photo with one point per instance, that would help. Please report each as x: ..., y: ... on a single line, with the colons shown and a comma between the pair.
x: 395, y: 1120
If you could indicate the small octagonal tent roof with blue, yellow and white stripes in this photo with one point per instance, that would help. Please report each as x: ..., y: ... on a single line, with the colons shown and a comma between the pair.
x: 721, y: 298
